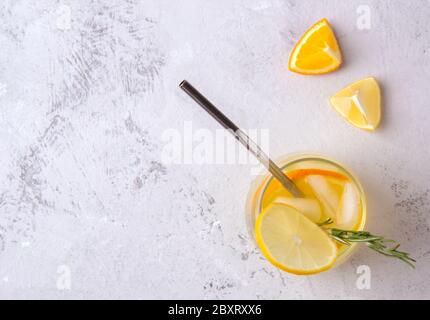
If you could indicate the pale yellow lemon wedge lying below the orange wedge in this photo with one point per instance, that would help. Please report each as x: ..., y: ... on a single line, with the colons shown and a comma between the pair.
x: 360, y: 103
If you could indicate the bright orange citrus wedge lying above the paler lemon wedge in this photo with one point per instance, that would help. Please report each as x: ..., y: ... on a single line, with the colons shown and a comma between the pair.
x: 317, y: 51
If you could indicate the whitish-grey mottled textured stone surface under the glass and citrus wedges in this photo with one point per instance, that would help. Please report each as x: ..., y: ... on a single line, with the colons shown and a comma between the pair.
x: 83, y: 108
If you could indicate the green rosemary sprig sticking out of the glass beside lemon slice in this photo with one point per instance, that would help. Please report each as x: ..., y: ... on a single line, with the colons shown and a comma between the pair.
x: 377, y: 243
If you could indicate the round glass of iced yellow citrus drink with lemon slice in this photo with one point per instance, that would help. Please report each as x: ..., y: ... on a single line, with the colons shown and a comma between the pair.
x: 286, y: 227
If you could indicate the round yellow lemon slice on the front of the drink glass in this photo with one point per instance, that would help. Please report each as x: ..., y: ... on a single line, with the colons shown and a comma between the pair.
x: 292, y: 242
